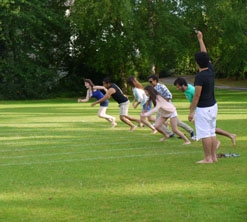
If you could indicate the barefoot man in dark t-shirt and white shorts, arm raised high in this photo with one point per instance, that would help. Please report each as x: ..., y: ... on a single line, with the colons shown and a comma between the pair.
x: 205, y: 104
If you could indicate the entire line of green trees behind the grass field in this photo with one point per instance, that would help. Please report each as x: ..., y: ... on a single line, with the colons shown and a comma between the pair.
x: 49, y: 46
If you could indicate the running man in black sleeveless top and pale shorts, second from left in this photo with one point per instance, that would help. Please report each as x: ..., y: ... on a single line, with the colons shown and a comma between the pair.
x: 116, y: 93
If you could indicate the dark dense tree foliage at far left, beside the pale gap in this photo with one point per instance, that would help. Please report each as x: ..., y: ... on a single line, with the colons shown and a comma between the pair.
x: 34, y: 39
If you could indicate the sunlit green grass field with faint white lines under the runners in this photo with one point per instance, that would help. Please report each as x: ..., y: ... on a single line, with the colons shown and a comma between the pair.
x: 60, y: 162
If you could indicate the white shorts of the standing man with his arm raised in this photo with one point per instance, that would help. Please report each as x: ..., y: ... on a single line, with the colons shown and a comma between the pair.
x: 205, y: 121
